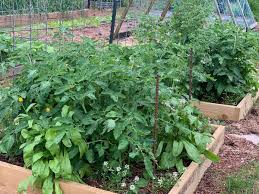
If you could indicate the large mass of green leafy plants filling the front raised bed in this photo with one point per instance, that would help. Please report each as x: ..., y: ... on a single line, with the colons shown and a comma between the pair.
x: 76, y: 106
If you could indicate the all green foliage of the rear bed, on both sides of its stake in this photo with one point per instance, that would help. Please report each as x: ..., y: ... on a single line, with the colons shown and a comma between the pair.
x: 224, y: 57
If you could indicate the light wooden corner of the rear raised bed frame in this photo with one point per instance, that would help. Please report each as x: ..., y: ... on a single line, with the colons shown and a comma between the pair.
x: 227, y: 112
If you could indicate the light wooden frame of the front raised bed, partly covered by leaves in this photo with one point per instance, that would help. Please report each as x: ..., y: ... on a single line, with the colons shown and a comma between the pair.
x: 11, y: 175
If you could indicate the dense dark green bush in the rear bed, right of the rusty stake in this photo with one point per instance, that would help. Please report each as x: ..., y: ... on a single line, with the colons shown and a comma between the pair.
x: 227, y: 56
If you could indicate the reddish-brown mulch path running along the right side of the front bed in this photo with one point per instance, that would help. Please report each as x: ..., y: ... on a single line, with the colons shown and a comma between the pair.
x: 235, y: 153
